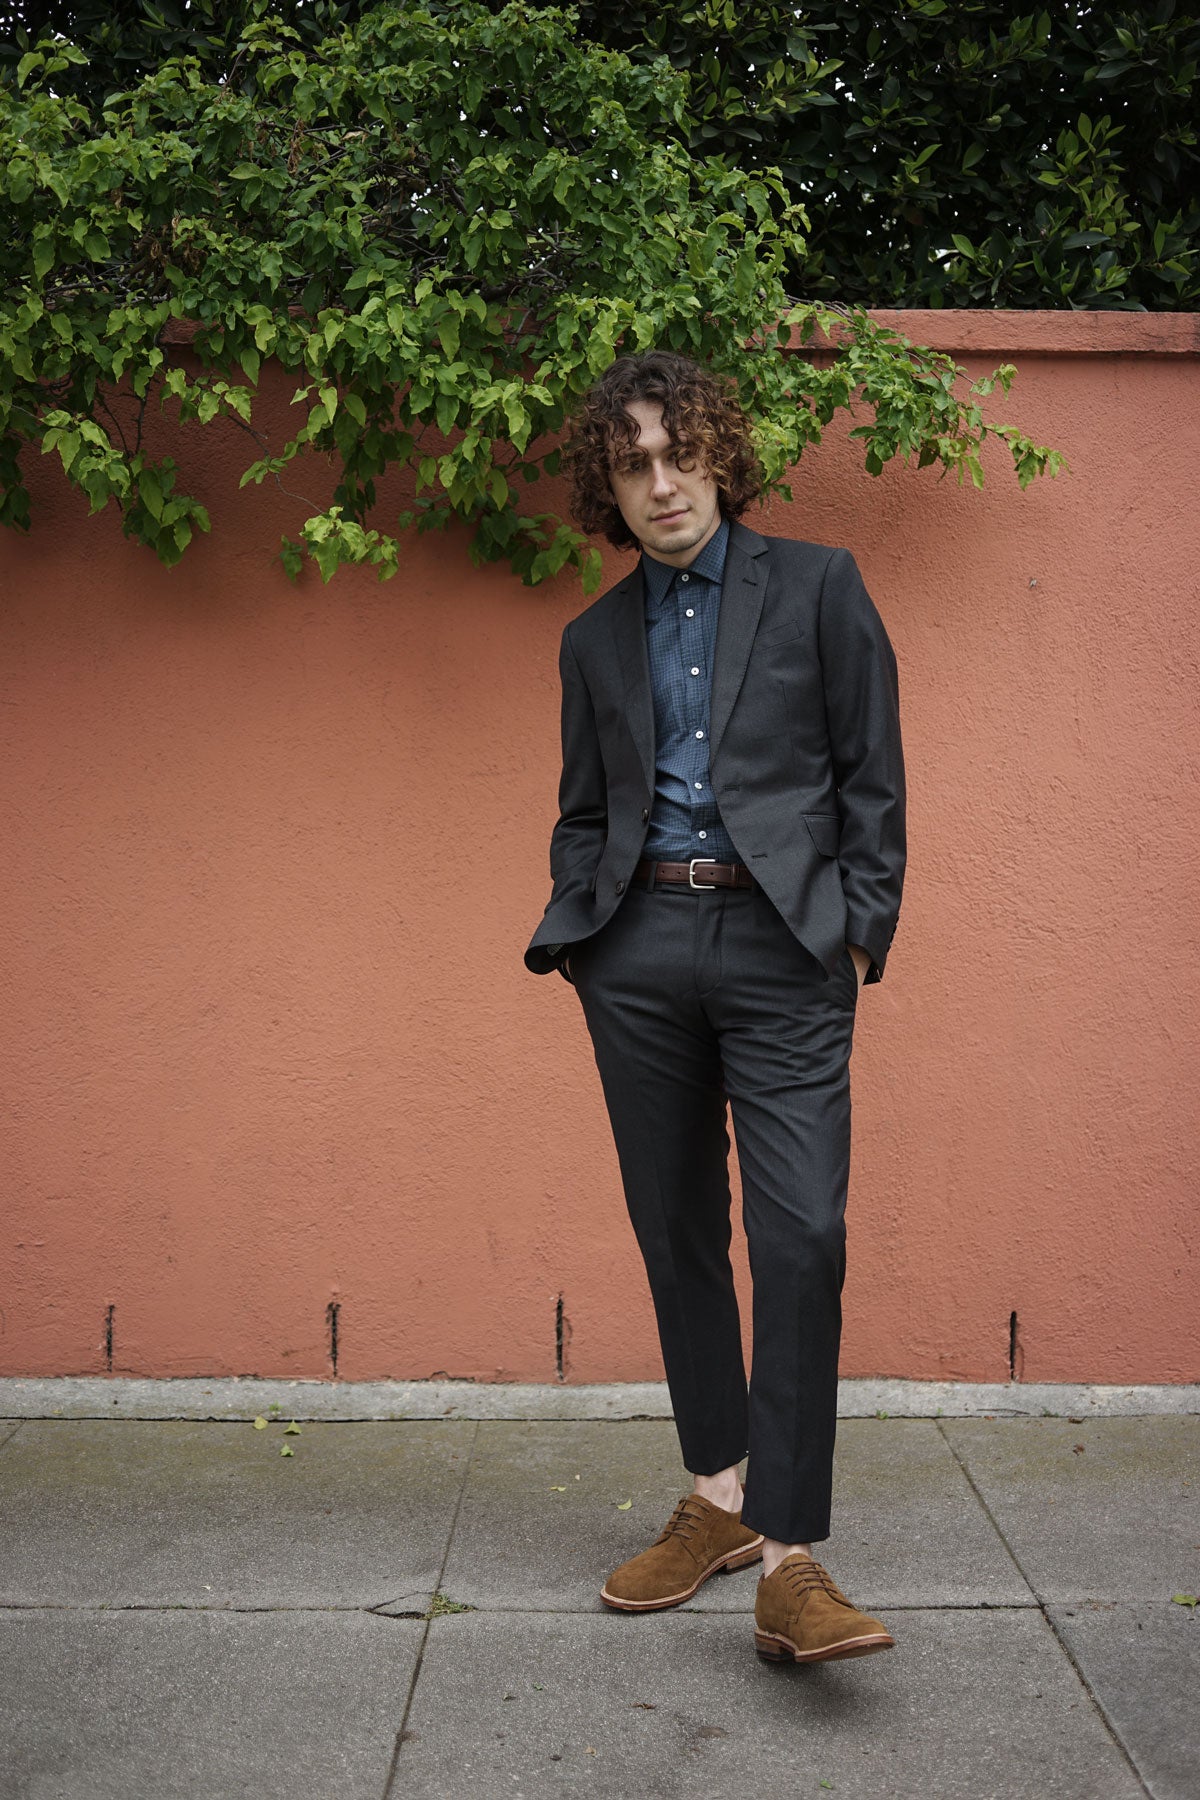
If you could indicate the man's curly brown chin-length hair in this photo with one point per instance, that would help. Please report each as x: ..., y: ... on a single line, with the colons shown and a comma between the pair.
x: 703, y: 415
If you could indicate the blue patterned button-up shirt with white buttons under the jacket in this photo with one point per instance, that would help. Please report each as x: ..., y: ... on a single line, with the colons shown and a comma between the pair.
x: 681, y: 638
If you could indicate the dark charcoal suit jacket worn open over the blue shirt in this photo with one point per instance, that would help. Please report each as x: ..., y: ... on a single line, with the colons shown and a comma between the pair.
x: 805, y: 751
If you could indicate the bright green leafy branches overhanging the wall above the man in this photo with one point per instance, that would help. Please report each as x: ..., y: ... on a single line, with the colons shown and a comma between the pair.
x: 447, y: 222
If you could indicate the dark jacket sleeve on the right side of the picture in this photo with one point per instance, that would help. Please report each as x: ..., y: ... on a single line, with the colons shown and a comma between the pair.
x: 863, y: 712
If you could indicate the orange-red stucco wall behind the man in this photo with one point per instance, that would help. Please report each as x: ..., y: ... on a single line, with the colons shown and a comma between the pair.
x: 273, y: 856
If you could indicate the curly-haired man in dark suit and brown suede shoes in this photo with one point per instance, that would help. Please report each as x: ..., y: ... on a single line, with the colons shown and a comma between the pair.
x: 728, y: 870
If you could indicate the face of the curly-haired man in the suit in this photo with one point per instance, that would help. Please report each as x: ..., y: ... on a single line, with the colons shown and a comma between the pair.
x: 668, y: 501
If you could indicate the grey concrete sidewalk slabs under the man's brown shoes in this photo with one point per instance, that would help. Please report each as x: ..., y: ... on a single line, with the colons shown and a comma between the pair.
x: 409, y: 1608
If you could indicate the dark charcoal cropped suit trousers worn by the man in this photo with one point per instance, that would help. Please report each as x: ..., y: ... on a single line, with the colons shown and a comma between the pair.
x: 695, y: 1000
